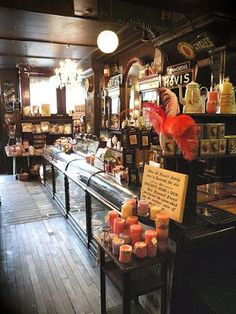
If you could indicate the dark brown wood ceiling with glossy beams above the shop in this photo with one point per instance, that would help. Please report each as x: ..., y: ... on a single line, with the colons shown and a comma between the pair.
x: 41, y: 33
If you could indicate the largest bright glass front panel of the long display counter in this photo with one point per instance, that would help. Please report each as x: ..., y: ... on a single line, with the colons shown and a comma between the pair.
x: 77, y: 204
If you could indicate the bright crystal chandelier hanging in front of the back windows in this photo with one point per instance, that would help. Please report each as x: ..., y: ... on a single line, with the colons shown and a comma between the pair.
x: 67, y: 74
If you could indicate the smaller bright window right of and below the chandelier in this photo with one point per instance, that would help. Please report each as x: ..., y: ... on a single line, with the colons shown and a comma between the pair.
x: 75, y: 95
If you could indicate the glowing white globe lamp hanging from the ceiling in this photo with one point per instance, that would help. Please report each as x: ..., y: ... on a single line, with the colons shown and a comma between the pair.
x: 107, y: 41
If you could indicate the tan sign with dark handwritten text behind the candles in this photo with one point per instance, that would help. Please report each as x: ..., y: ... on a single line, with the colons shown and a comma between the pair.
x: 166, y: 189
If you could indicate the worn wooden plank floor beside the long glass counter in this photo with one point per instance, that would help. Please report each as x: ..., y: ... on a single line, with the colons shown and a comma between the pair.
x: 45, y: 268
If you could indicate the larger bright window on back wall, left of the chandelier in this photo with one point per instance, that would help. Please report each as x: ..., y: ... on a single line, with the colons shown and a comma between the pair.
x: 42, y: 92
